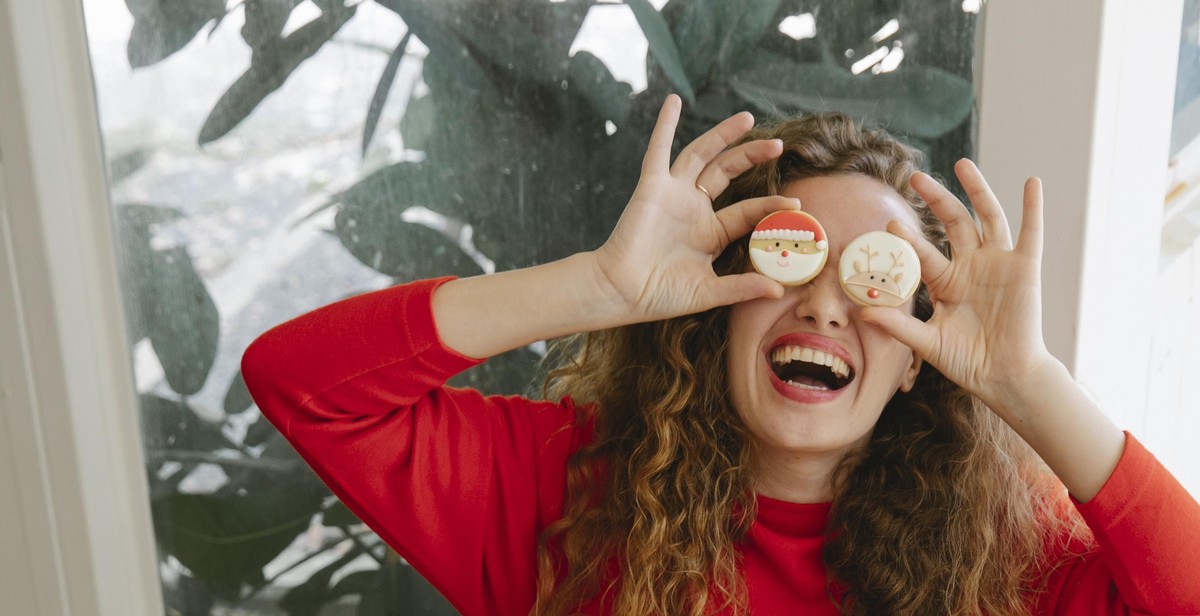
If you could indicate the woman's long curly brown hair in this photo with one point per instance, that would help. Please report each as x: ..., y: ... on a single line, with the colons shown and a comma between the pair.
x: 946, y: 511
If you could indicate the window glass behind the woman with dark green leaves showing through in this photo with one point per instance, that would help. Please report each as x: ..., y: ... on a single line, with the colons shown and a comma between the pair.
x: 269, y: 157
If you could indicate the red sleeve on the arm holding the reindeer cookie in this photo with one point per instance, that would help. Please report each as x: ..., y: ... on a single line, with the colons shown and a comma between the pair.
x: 1147, y: 559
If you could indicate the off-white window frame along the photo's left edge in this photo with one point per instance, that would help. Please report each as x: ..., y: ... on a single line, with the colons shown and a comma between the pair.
x: 76, y: 535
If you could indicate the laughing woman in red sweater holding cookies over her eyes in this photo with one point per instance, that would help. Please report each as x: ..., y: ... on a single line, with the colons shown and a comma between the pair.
x: 681, y: 474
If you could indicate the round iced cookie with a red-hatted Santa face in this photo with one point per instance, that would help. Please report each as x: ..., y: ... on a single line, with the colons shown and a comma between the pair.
x: 789, y: 247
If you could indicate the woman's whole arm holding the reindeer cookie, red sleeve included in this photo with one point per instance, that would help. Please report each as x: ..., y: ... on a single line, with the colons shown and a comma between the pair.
x: 986, y: 336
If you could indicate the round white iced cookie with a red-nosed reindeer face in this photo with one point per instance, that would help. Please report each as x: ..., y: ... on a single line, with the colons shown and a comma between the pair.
x: 879, y: 270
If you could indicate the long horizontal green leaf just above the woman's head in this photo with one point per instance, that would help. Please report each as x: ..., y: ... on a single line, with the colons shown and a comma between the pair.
x: 920, y: 101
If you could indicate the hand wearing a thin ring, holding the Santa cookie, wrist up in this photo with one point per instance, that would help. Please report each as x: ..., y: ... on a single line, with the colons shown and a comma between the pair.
x: 659, y: 259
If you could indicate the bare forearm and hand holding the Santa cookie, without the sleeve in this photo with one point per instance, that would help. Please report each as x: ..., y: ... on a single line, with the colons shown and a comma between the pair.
x: 657, y: 265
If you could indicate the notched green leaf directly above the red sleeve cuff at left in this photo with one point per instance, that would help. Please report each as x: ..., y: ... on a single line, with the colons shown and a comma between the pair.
x: 371, y: 226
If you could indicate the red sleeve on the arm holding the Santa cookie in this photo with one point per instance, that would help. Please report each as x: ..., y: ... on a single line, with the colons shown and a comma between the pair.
x: 459, y: 483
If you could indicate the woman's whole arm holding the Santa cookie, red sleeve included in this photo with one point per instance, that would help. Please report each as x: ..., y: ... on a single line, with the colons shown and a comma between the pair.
x: 459, y: 483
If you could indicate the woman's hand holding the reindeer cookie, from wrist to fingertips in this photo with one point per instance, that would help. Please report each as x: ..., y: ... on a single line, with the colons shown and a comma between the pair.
x: 986, y: 333
